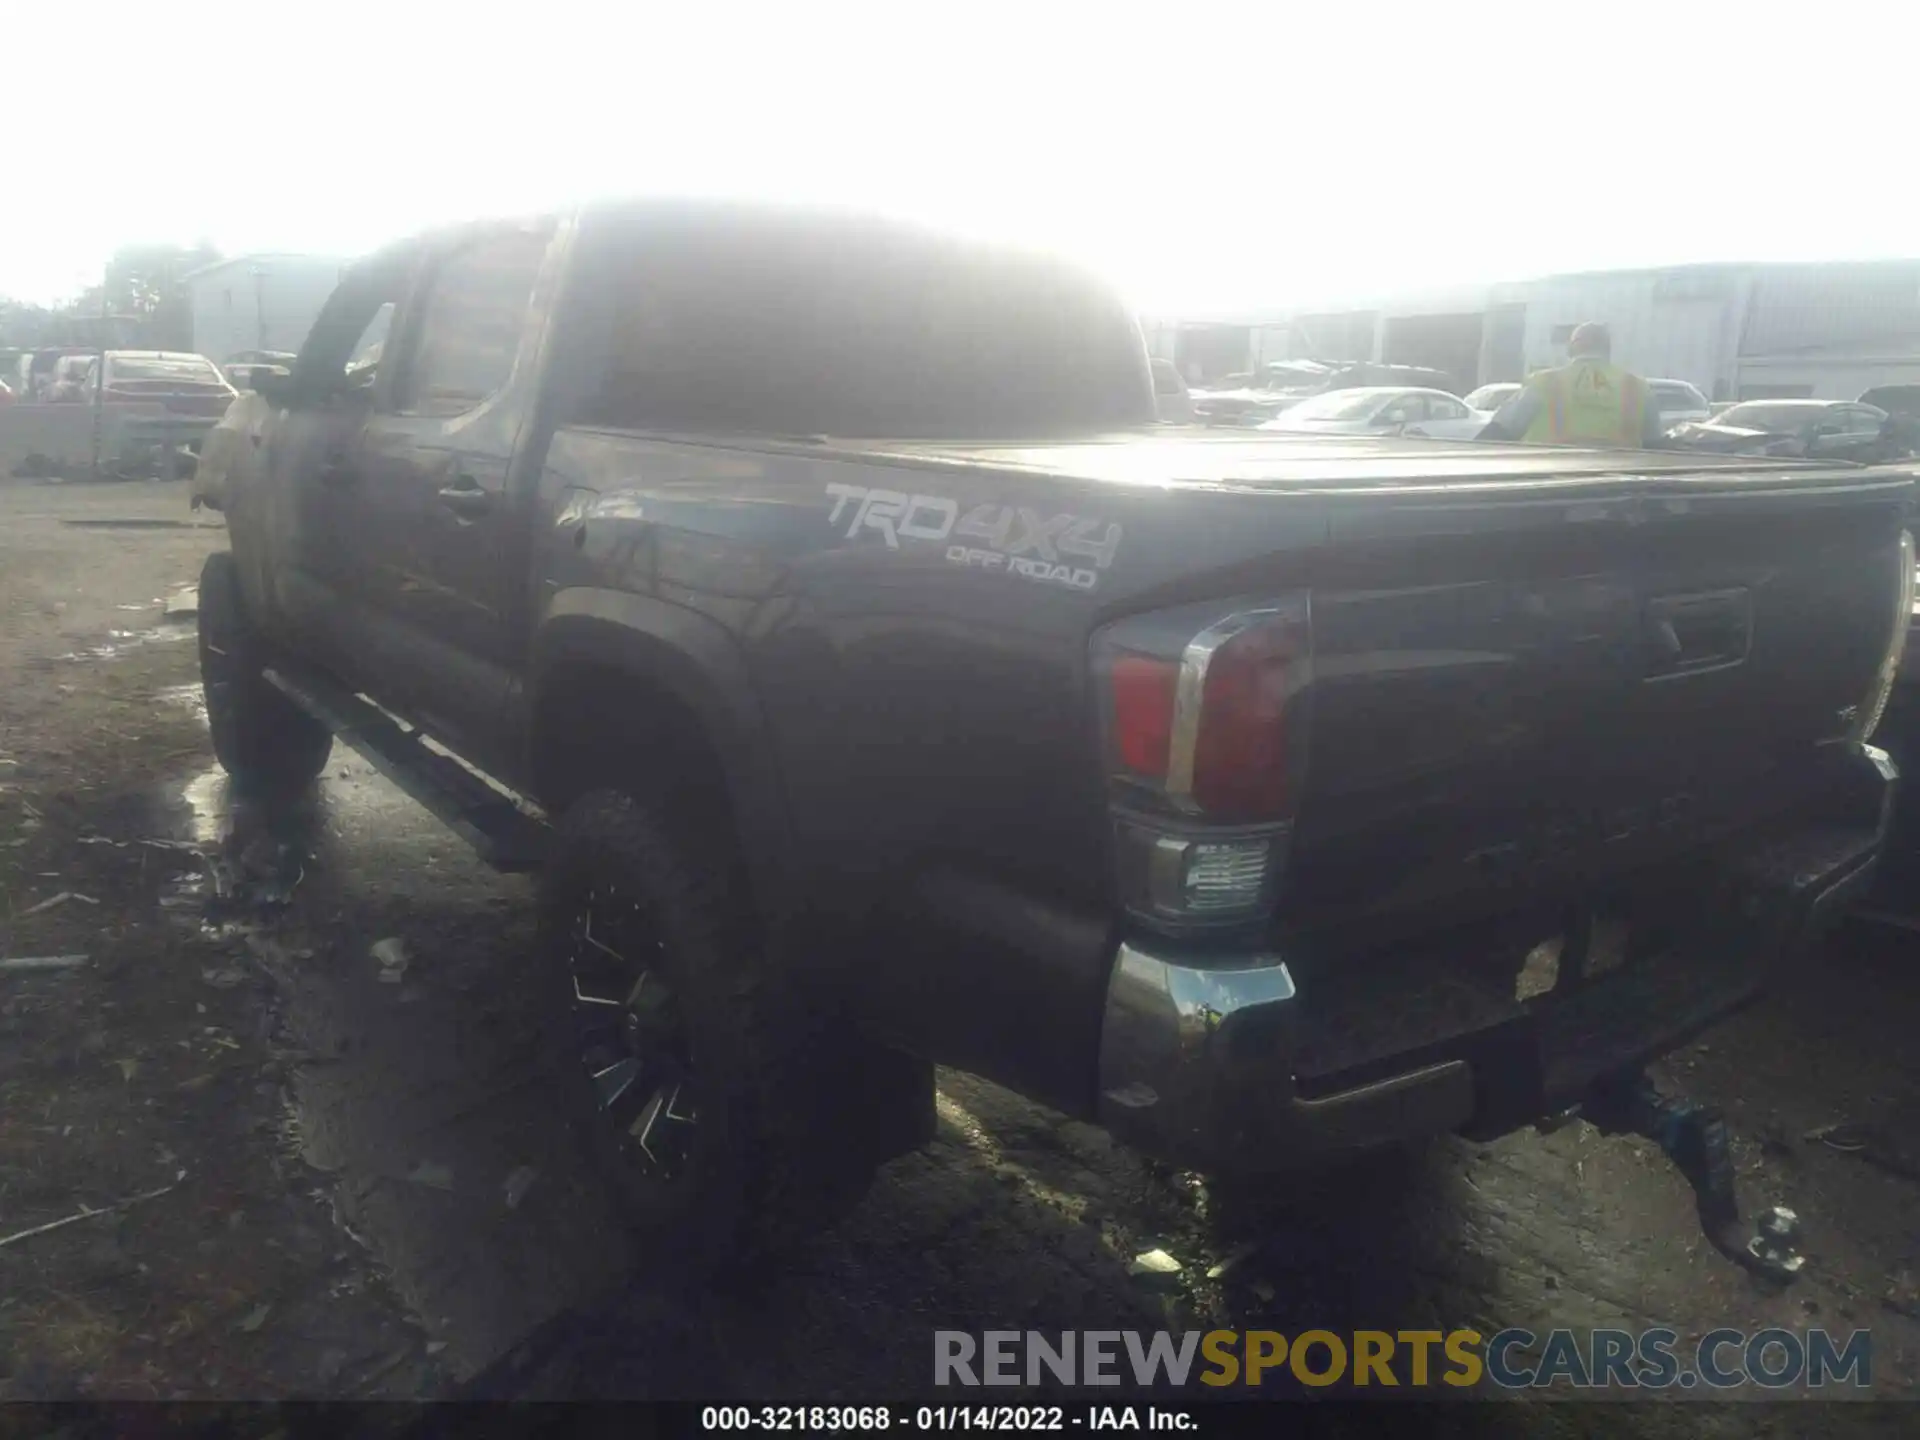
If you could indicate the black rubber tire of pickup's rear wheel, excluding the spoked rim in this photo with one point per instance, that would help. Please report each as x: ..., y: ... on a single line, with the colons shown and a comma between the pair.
x: 777, y: 1153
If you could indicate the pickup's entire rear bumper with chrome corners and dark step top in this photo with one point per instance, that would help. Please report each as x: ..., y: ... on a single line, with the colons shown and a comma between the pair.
x: 1251, y: 1063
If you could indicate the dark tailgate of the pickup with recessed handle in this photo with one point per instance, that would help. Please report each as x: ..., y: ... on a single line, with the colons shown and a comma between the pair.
x: 1531, y: 694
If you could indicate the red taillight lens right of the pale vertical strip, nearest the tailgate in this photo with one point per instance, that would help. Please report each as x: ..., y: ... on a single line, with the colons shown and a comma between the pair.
x: 1241, y: 750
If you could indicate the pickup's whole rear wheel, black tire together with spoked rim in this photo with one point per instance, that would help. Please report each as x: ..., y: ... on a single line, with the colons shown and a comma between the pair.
x: 706, y: 1090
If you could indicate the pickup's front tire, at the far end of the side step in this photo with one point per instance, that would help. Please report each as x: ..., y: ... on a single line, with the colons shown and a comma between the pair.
x: 266, y: 742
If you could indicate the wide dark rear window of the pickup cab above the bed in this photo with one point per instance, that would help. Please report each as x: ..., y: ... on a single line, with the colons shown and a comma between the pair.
x: 813, y: 325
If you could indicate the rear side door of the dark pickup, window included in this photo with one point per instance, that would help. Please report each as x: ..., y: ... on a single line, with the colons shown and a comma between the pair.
x: 431, y: 535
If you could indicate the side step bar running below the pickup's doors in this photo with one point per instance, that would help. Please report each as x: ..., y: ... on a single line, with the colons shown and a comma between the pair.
x: 500, y: 832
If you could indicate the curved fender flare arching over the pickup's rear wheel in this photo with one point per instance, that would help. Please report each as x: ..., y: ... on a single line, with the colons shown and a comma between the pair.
x: 702, y: 665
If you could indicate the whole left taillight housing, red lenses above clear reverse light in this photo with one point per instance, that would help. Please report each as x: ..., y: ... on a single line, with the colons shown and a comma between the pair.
x: 1203, y: 715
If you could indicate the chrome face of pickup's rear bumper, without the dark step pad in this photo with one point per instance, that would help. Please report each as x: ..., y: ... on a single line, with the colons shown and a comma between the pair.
x: 1197, y: 1051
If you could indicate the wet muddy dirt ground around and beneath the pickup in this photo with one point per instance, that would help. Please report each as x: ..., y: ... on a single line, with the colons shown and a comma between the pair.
x: 345, y: 1186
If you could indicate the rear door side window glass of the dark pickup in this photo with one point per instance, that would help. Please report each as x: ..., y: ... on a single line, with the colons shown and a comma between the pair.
x: 471, y: 324
